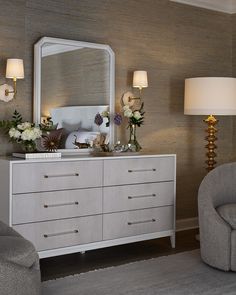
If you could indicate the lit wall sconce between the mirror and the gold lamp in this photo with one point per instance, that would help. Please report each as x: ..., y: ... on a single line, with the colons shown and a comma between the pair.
x: 140, y: 81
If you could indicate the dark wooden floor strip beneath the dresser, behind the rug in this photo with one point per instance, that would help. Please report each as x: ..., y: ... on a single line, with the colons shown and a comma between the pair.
x: 66, y: 265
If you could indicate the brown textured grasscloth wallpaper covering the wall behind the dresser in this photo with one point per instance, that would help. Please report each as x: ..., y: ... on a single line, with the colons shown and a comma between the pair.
x: 169, y: 40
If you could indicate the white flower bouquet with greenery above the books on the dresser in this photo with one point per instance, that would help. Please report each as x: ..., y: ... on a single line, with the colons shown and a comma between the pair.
x: 23, y: 133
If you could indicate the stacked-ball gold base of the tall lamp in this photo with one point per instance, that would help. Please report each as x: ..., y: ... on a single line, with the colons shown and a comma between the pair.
x: 211, y: 130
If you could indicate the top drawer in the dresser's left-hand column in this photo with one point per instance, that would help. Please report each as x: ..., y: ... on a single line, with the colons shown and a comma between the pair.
x: 38, y: 177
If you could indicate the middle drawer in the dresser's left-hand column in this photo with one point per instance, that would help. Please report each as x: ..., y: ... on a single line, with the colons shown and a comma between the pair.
x: 35, y: 207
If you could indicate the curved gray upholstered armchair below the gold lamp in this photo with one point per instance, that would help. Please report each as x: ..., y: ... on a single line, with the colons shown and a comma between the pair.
x: 217, y: 217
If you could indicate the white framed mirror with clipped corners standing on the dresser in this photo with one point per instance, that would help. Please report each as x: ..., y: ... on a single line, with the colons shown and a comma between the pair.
x: 73, y: 81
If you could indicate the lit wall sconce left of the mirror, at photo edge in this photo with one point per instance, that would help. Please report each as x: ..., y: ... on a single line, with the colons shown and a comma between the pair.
x: 14, y: 71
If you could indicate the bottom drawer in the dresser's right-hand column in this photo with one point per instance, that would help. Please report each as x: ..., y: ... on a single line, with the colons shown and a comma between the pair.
x: 131, y: 223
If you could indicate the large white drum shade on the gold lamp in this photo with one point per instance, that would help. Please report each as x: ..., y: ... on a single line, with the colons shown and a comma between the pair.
x: 210, y: 96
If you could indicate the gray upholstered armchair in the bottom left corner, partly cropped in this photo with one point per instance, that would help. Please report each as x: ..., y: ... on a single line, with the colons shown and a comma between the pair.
x: 19, y: 264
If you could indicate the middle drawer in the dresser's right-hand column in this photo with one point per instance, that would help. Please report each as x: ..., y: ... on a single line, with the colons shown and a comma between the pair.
x: 139, y: 196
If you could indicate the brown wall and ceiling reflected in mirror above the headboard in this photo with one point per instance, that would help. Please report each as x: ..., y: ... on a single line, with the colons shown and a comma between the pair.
x: 72, y: 77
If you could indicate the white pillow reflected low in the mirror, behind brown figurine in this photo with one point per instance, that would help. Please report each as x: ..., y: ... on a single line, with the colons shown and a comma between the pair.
x: 80, y: 136
